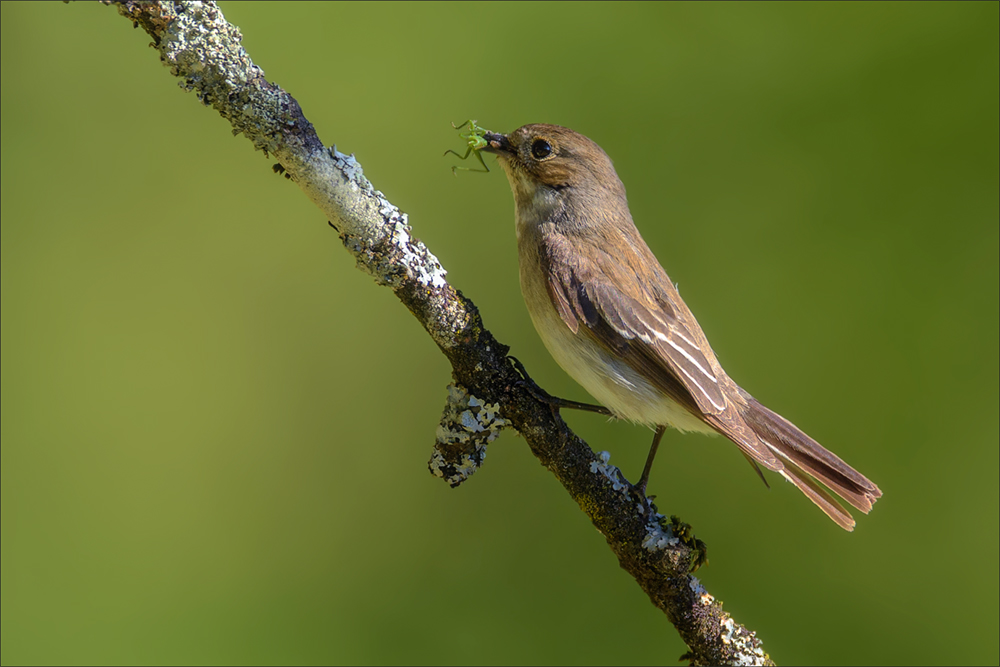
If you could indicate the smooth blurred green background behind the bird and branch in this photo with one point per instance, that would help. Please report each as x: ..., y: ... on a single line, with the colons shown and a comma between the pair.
x: 216, y: 430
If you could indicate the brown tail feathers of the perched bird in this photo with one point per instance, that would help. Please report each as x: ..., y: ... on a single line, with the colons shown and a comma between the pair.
x: 804, y: 461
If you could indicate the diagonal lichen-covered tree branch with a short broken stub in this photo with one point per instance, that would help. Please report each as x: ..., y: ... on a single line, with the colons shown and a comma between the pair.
x: 203, y: 50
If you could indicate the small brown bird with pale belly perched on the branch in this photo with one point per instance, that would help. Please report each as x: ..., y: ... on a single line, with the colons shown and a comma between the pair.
x: 610, y: 316
